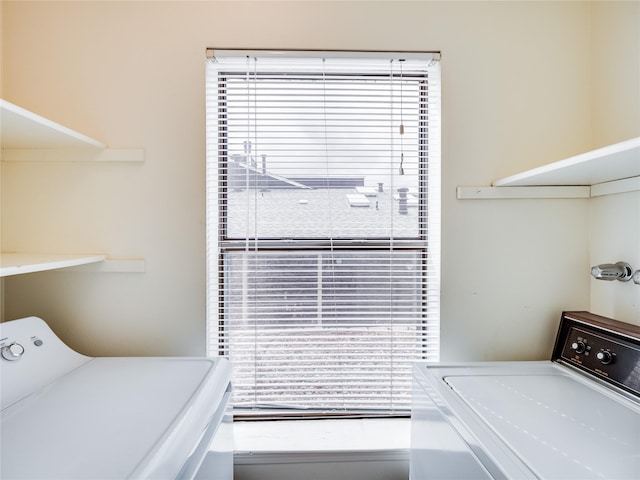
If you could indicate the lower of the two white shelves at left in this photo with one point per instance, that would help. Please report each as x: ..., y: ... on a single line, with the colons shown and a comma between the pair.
x: 18, y: 263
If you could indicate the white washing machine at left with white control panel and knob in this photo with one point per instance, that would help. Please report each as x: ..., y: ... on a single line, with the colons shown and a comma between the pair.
x: 69, y: 416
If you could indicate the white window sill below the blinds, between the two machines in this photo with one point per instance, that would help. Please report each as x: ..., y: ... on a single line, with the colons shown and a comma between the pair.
x: 322, y: 436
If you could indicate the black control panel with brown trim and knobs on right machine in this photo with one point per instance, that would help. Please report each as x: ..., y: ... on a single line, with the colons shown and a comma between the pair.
x: 602, y: 347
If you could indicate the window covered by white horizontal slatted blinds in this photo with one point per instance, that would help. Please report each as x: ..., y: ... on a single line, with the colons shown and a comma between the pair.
x: 323, y: 230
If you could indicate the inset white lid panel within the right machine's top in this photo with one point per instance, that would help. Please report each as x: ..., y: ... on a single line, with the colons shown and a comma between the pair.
x: 560, y: 427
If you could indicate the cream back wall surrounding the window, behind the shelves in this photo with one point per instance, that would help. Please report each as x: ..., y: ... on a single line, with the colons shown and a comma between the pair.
x: 517, y: 93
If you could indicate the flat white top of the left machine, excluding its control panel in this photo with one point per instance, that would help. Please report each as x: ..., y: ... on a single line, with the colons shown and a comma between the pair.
x: 113, y: 418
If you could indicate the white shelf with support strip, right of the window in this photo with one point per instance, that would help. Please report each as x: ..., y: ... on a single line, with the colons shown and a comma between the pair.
x: 608, y: 170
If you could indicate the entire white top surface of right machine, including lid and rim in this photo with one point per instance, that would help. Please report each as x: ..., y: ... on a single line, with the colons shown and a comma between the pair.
x: 540, y: 420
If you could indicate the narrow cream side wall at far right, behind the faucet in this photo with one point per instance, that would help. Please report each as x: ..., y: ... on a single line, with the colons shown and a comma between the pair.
x: 615, y: 220
